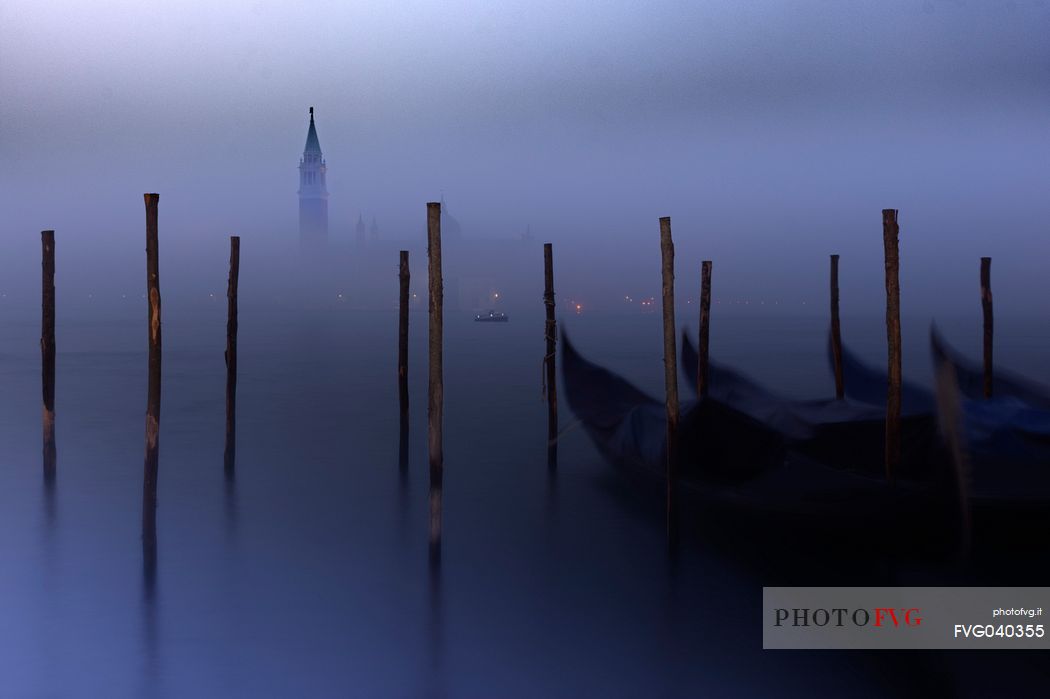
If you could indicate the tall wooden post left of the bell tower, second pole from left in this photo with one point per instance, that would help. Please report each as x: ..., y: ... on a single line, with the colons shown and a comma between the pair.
x: 154, y: 392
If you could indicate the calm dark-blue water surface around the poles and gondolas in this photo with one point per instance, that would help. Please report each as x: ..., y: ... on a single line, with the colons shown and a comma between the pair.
x: 308, y: 576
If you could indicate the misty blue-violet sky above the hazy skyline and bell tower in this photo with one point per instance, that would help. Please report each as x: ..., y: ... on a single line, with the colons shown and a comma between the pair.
x: 772, y: 133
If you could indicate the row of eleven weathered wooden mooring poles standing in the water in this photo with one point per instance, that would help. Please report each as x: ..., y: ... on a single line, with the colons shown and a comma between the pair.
x: 436, y: 388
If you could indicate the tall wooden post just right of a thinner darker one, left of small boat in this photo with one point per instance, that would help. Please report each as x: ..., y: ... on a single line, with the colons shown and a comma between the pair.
x: 436, y: 393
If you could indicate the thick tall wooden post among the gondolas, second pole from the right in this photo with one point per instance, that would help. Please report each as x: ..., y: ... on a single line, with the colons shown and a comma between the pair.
x: 891, y: 234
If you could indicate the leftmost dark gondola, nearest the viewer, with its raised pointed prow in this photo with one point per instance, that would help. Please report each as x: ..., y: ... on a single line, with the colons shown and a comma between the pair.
x: 729, y: 461
